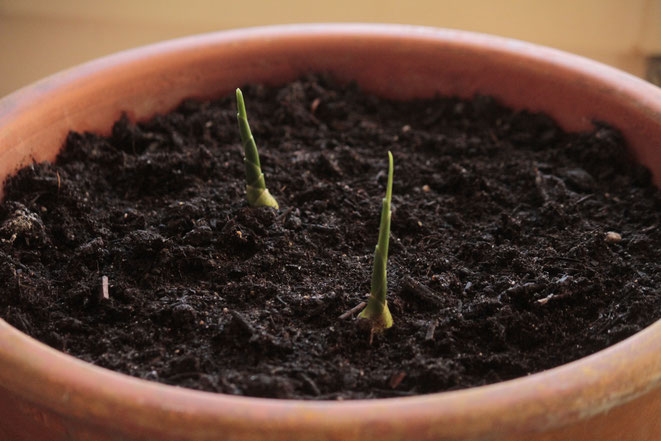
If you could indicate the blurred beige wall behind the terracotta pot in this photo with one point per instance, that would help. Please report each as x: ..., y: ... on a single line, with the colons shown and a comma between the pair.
x: 40, y: 37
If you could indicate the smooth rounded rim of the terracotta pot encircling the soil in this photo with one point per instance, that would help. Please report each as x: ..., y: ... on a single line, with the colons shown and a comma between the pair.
x: 580, y: 389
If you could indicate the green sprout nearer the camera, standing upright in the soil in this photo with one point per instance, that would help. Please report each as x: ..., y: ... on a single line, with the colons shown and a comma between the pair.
x: 376, y: 311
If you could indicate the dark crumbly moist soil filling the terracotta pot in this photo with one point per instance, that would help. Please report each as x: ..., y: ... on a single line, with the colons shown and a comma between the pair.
x: 515, y: 247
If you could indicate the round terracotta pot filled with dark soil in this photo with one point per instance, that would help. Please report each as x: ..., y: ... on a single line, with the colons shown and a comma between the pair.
x: 612, y: 395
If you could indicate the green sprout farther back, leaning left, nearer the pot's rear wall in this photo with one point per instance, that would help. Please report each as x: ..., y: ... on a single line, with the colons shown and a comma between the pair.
x: 256, y: 192
